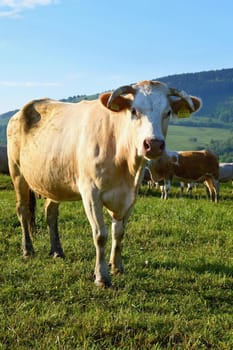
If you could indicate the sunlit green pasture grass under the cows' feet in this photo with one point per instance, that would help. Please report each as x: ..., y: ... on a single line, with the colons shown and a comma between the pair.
x: 176, y: 293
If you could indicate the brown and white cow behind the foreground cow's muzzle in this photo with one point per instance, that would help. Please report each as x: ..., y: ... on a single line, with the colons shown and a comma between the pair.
x: 188, y: 166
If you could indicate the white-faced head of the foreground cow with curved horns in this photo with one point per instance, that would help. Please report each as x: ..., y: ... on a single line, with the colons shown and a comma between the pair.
x: 152, y: 106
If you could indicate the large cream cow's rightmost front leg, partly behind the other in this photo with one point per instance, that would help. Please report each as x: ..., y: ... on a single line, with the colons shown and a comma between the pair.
x: 117, y: 236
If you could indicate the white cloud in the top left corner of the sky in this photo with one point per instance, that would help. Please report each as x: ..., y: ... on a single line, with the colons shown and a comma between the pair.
x: 13, y: 8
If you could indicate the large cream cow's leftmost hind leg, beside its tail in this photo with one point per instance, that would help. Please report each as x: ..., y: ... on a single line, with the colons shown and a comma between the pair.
x: 25, y: 208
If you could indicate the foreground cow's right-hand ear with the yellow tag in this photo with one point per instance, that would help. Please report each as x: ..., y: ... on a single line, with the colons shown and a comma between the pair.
x: 182, y: 109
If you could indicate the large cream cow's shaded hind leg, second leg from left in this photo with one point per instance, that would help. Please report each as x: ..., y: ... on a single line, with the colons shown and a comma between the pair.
x: 51, y: 215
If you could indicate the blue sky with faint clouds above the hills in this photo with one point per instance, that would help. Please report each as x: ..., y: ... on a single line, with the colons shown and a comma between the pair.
x: 62, y: 48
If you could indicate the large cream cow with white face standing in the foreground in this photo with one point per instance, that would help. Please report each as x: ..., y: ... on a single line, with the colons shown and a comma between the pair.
x: 92, y: 150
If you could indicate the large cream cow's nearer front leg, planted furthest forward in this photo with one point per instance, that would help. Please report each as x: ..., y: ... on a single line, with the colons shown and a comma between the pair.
x: 94, y: 211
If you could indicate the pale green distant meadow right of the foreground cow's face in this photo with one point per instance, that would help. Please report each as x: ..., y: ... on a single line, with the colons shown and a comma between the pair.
x: 181, y: 138
